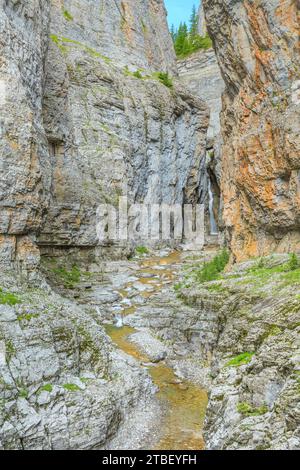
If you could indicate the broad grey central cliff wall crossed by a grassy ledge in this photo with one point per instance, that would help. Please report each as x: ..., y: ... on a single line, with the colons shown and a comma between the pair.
x: 113, y: 125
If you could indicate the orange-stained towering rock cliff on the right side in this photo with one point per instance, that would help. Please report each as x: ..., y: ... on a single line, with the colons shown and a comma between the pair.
x: 257, y: 45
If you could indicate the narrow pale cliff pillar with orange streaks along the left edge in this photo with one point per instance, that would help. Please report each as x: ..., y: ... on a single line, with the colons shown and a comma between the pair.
x: 25, y: 167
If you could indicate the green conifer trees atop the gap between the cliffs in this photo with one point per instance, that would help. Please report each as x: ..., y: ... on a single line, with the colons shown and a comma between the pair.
x: 187, y: 40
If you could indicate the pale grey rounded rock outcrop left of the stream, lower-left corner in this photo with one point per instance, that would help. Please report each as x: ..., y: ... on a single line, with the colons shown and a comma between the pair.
x: 62, y: 384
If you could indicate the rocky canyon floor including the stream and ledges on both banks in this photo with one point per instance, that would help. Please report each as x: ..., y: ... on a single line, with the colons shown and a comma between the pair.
x: 236, y: 337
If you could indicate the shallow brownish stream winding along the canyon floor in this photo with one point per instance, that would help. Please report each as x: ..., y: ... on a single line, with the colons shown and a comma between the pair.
x: 185, y: 403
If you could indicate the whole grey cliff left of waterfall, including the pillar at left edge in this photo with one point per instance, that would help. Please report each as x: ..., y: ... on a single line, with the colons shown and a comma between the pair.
x: 93, y: 119
